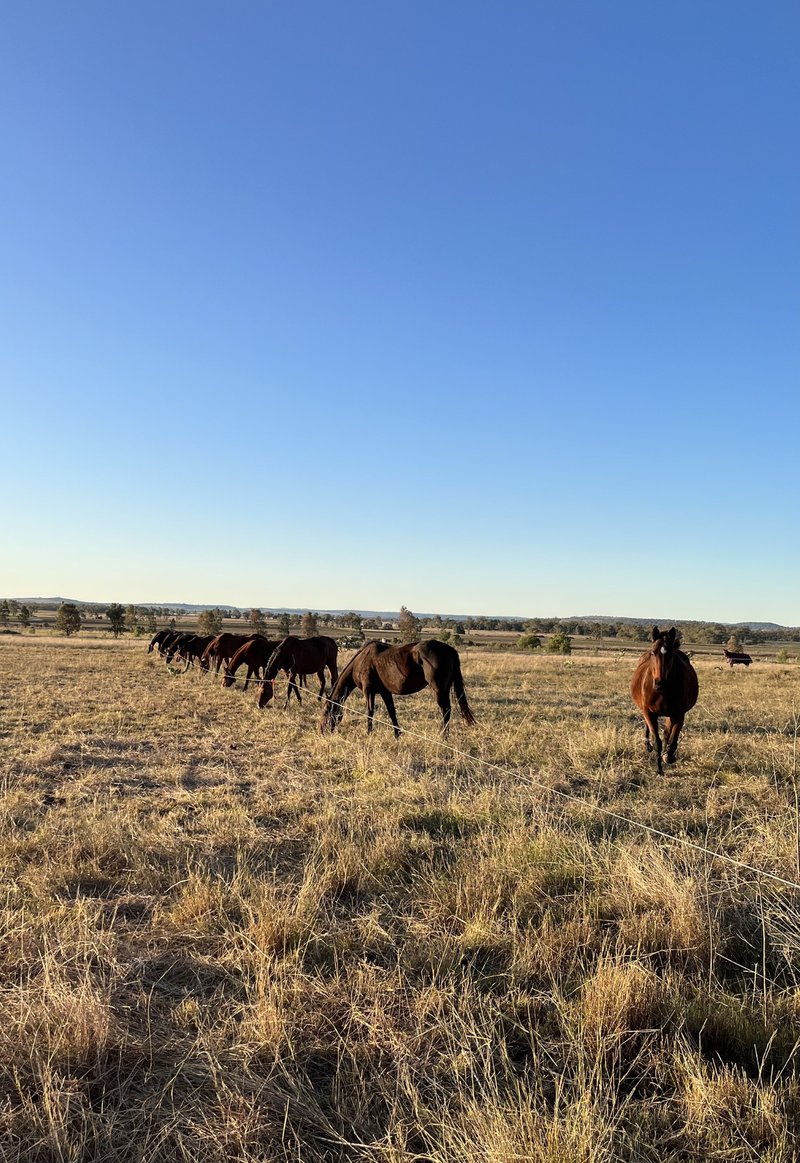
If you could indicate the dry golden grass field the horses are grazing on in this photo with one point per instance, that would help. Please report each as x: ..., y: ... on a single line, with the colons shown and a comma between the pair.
x: 226, y: 938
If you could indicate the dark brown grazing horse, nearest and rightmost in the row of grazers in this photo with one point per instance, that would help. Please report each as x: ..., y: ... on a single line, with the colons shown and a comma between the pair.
x: 385, y: 670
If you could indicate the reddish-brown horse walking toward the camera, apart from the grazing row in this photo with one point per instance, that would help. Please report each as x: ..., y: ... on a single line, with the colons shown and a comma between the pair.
x: 665, y: 683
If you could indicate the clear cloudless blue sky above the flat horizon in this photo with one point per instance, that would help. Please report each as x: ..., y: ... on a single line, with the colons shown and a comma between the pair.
x: 474, y: 308
